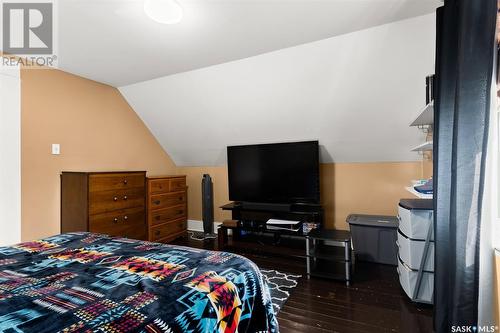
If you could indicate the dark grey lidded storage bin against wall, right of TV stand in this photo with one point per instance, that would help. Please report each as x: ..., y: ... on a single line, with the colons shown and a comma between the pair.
x: 374, y: 238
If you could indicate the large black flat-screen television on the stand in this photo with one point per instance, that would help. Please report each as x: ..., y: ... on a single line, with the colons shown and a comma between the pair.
x: 274, y: 173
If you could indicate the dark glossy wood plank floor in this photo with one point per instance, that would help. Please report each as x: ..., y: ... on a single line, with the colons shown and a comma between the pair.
x: 373, y: 303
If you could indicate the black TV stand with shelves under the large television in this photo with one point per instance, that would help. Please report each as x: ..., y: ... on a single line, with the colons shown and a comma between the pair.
x: 253, y: 234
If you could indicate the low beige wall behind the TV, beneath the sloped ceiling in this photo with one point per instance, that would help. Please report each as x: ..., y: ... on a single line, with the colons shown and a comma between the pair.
x: 370, y: 188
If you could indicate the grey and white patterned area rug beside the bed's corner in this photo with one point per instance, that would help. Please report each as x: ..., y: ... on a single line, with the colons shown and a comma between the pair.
x: 280, y: 286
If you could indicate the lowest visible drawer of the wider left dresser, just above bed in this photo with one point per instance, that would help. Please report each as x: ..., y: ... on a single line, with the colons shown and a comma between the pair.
x: 127, y: 223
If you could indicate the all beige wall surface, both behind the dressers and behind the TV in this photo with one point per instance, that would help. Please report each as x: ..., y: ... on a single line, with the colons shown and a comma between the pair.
x: 99, y: 131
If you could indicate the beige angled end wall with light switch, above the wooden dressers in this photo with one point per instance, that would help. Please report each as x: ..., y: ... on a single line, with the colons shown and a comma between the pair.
x: 97, y: 131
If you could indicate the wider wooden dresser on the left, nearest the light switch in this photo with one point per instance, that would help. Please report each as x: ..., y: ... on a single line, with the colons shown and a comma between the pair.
x: 110, y: 203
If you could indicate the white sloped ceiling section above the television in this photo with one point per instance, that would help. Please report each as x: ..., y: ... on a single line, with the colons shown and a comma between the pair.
x: 357, y: 93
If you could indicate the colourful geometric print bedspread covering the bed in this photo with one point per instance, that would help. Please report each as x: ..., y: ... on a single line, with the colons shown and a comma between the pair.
x: 85, y: 282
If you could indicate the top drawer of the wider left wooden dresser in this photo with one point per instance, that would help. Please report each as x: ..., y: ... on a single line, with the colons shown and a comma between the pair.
x: 116, y: 181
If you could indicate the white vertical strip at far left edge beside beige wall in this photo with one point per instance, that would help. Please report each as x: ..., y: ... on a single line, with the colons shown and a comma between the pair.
x: 10, y: 156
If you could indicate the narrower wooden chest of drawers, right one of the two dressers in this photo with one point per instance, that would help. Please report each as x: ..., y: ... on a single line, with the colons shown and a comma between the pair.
x: 167, y: 208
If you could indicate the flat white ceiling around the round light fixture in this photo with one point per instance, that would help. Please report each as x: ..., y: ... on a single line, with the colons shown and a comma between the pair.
x: 114, y: 42
